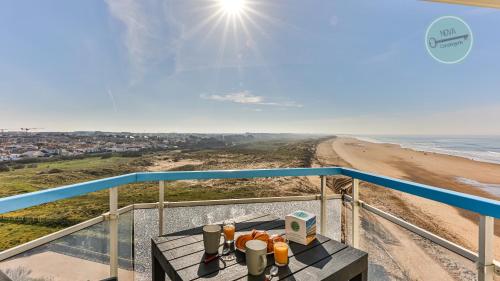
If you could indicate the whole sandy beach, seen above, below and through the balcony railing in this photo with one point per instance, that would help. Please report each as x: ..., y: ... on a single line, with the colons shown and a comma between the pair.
x: 434, y: 169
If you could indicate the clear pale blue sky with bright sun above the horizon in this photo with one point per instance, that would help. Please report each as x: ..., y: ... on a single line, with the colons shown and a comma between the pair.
x: 332, y: 66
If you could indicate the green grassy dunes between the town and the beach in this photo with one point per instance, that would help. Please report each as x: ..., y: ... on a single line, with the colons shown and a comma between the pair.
x: 28, y: 224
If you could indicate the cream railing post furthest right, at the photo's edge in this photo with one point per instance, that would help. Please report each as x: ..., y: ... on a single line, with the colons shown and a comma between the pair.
x: 485, y: 266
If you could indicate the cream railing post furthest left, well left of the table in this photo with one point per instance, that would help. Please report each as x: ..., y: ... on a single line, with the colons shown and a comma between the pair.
x: 113, y: 232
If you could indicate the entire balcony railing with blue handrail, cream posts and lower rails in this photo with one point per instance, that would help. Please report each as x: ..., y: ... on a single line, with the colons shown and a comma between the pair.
x: 487, y: 209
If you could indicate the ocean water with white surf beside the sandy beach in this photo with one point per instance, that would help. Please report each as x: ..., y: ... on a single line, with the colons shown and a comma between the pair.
x: 478, y: 148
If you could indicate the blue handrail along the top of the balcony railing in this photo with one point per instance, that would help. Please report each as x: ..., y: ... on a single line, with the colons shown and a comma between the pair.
x: 483, y: 206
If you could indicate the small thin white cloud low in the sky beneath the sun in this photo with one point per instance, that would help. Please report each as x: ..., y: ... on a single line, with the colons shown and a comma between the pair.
x: 245, y: 97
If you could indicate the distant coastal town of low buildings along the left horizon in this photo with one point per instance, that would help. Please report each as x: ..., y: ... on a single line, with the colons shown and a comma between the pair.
x: 19, y: 145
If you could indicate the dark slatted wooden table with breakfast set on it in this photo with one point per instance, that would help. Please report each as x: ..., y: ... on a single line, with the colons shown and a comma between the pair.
x: 181, y: 257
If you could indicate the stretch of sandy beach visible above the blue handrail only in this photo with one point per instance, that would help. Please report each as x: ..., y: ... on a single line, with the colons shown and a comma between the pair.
x: 466, y: 175
